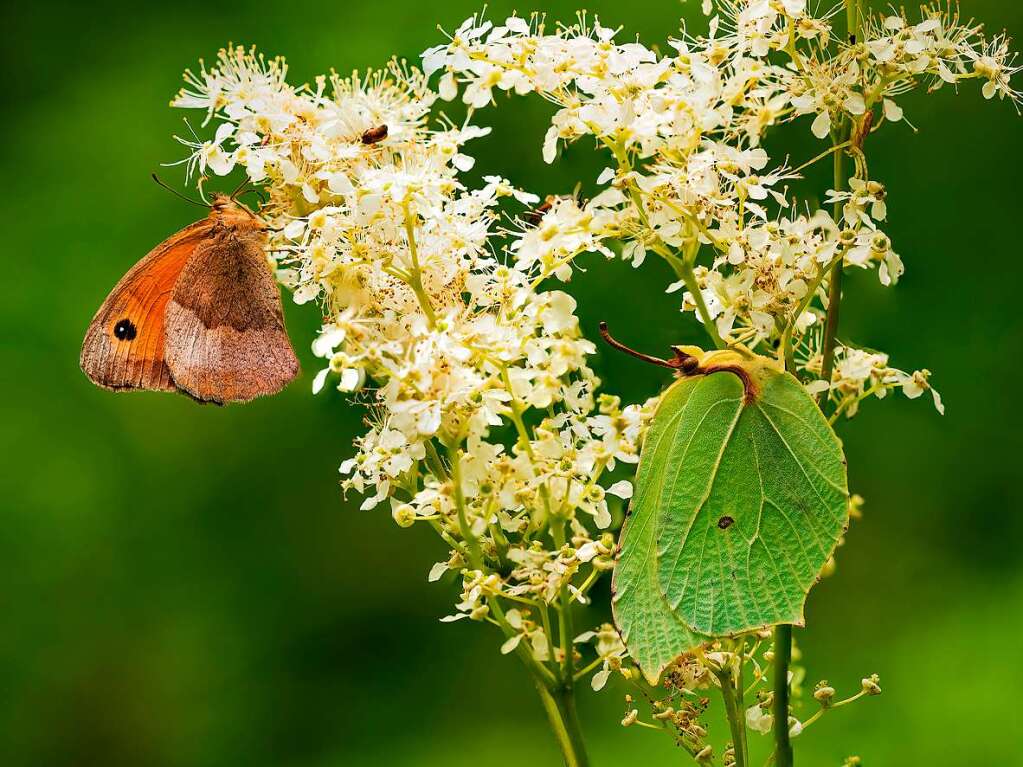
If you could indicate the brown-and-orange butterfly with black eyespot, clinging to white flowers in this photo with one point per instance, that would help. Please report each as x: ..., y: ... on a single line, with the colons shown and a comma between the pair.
x: 201, y: 314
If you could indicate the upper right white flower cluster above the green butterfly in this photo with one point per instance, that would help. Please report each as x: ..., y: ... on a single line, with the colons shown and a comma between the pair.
x: 685, y: 132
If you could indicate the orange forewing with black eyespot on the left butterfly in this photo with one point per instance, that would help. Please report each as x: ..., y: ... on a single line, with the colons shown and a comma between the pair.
x: 124, y: 346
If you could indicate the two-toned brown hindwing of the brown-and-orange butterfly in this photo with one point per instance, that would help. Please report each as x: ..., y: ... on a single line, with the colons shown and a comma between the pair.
x: 226, y: 330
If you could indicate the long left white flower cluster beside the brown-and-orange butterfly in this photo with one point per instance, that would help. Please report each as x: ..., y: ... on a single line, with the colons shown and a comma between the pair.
x: 484, y: 417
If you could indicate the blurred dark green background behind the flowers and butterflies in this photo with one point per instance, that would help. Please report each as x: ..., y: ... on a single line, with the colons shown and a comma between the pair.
x: 184, y: 586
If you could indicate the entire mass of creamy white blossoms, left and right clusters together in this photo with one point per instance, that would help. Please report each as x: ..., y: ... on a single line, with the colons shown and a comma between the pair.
x: 485, y: 421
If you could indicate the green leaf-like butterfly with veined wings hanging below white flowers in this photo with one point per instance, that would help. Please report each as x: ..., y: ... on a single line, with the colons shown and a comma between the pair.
x: 741, y: 499
